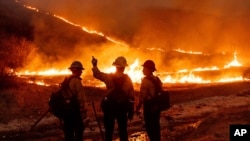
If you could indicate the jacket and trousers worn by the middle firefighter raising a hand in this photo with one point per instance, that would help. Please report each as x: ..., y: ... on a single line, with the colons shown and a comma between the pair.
x: 119, y: 115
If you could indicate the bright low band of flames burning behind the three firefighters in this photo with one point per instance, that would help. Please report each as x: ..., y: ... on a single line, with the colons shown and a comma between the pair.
x: 135, y: 73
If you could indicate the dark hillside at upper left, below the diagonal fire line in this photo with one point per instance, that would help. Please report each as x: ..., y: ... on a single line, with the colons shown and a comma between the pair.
x: 50, y: 34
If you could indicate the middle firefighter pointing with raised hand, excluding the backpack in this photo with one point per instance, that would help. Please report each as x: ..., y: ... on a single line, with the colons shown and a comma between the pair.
x: 118, y: 114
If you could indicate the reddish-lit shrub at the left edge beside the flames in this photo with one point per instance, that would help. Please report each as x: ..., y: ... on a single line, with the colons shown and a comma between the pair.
x: 14, y: 54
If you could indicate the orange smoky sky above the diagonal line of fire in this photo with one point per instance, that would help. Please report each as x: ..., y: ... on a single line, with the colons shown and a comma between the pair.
x: 193, y: 25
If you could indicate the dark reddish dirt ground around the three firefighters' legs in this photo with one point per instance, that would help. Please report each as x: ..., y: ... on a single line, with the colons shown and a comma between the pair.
x: 198, y: 113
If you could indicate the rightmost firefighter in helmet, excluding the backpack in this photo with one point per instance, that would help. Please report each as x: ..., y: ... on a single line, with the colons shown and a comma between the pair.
x: 150, y: 111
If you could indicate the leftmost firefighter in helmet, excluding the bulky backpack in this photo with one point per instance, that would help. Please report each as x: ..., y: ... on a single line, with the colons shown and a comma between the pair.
x: 73, y: 125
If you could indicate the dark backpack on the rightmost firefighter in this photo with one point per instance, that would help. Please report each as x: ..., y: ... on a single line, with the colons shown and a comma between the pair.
x: 162, y: 97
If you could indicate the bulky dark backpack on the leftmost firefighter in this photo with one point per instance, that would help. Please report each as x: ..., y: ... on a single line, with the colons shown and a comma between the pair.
x: 60, y: 106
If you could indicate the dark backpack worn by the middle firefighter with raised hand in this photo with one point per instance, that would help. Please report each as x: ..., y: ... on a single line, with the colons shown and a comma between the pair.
x: 117, y: 100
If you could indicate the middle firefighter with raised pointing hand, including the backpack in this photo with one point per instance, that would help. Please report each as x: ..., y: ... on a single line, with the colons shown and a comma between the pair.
x: 116, y: 83
